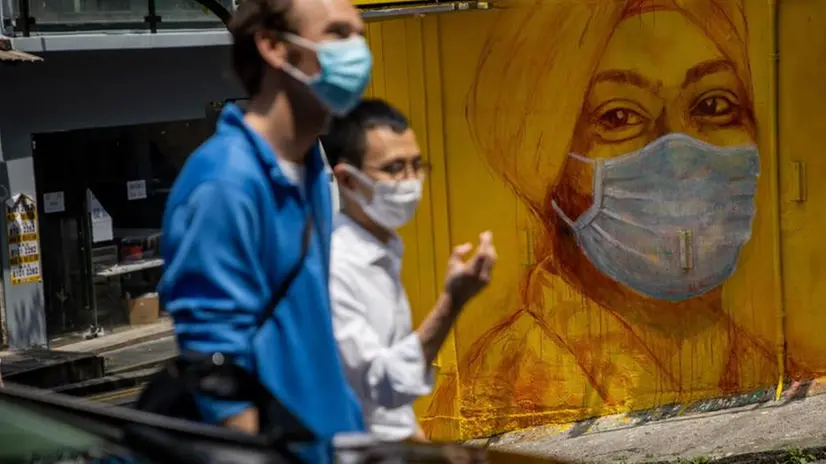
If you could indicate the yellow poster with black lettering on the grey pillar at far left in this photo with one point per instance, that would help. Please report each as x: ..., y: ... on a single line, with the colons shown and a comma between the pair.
x: 23, y: 240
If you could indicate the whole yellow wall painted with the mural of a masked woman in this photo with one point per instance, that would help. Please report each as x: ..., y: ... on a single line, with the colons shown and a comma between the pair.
x: 500, y: 98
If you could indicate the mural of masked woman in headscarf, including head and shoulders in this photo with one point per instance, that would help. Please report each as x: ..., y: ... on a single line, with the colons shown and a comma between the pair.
x: 627, y: 127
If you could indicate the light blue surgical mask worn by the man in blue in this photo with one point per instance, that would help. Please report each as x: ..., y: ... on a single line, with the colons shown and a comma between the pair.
x: 345, y: 67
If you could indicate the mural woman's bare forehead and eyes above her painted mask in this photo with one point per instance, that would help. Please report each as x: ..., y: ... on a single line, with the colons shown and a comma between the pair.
x: 661, y: 74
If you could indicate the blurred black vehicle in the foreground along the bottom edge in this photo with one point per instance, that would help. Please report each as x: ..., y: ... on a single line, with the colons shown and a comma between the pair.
x: 39, y: 426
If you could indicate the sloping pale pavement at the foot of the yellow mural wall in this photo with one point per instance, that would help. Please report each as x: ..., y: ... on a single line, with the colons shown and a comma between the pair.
x: 791, y: 430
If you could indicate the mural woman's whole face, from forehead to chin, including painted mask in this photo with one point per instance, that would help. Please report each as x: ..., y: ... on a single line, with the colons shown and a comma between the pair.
x: 668, y: 205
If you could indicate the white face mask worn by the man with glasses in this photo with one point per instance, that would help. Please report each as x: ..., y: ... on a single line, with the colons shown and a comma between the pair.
x: 394, y: 202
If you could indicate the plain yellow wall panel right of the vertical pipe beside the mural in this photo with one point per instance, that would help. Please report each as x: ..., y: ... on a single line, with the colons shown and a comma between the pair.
x: 803, y: 140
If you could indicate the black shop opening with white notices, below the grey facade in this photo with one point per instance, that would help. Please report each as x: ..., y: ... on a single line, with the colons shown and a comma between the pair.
x: 102, y: 192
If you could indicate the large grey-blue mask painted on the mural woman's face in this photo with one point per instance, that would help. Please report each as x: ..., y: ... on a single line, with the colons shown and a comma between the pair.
x: 669, y: 219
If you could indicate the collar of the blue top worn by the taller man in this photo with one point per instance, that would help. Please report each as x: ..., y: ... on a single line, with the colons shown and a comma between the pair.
x: 231, y: 122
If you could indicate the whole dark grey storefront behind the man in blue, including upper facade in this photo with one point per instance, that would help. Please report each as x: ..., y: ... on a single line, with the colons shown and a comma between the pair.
x: 96, y: 151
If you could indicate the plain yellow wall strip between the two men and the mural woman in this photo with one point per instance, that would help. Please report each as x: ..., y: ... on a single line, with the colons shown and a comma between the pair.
x: 406, y: 73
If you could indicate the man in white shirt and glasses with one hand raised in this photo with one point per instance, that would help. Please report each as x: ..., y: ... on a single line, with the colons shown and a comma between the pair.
x: 380, y: 171
